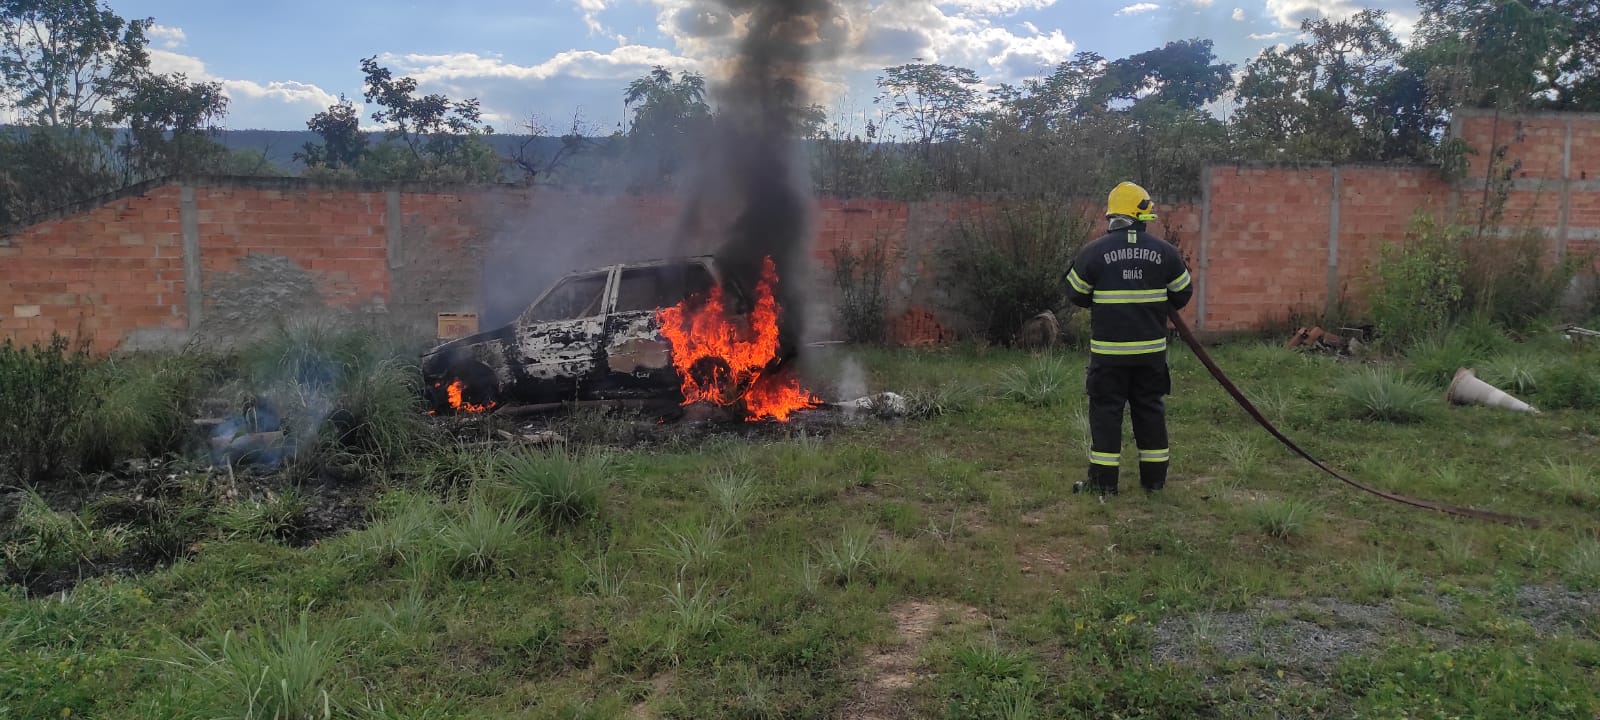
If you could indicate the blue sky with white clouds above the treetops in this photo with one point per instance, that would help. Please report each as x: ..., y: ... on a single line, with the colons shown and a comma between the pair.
x: 282, y: 62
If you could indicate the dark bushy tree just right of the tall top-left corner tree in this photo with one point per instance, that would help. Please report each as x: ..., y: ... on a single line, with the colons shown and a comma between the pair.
x: 170, y: 126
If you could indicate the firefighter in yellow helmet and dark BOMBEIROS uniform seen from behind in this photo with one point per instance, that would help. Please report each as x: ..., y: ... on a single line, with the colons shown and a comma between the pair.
x: 1129, y: 281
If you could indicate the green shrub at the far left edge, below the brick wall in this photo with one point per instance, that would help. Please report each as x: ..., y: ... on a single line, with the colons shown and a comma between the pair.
x: 44, y: 391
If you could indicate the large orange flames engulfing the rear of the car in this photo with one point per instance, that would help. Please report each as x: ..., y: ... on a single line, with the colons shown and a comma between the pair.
x: 724, y: 364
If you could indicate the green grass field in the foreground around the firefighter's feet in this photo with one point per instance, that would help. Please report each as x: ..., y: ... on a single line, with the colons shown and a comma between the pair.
x: 919, y: 567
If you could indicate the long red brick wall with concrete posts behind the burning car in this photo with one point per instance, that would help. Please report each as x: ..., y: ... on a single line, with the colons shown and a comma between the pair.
x: 118, y: 271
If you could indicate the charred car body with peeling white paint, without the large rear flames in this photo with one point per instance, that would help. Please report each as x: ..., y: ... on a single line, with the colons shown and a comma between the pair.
x: 594, y: 335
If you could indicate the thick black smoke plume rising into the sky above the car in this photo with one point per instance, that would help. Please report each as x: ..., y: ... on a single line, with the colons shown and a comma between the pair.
x: 754, y: 177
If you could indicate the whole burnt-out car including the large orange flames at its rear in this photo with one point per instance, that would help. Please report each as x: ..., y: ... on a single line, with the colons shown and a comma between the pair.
x: 650, y: 330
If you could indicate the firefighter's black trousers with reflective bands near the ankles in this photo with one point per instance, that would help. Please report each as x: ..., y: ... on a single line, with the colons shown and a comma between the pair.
x: 1143, y: 390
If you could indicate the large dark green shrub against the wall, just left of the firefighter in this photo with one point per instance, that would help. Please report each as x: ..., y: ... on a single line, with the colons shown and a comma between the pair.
x: 1007, y: 265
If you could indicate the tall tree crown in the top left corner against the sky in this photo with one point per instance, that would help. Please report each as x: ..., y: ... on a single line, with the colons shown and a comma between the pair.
x: 65, y: 62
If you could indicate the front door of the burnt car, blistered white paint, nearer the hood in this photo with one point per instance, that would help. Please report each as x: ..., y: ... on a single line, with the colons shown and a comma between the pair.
x: 559, y: 338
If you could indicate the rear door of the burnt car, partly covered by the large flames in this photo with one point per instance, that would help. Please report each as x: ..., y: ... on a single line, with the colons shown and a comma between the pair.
x: 639, y: 358
